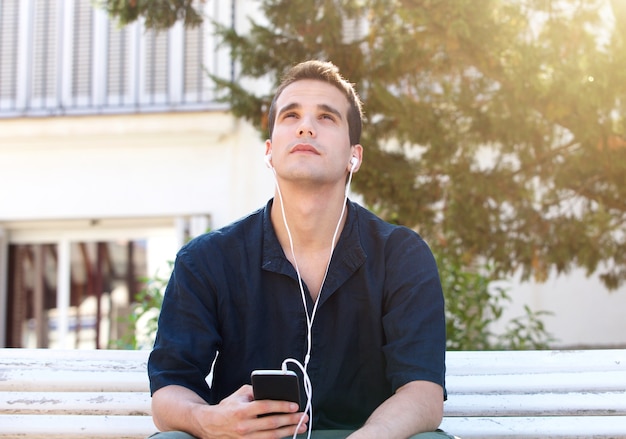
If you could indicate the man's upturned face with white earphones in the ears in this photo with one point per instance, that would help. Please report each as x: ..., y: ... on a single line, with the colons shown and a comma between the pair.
x: 311, y: 138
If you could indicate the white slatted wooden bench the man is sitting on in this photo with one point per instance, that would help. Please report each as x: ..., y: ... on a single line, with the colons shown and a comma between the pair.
x: 516, y: 394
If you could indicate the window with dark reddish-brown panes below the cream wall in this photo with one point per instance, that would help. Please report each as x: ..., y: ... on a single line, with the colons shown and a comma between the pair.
x: 104, y: 278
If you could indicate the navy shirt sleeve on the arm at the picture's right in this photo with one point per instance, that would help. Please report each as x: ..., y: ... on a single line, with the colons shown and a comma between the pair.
x: 414, y: 318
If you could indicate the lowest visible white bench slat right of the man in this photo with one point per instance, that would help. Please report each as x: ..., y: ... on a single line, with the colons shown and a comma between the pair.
x: 570, y: 427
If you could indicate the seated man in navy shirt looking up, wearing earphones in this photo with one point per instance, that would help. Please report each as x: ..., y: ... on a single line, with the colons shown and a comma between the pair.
x: 311, y: 277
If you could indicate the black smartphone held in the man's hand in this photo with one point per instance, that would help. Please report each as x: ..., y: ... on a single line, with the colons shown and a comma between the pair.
x: 278, y: 385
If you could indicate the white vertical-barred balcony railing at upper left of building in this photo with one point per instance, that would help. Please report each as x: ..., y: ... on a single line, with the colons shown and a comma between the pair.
x: 61, y: 57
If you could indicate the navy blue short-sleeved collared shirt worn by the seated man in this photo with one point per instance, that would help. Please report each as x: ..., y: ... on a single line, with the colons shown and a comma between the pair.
x: 379, y: 323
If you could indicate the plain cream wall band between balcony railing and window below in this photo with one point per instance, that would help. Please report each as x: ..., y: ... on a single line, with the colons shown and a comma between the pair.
x: 129, y: 166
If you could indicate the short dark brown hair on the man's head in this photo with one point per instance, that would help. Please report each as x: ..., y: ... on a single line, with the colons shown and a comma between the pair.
x: 329, y: 73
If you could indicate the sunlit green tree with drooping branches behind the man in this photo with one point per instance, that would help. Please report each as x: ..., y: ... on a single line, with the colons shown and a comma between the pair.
x: 496, y: 128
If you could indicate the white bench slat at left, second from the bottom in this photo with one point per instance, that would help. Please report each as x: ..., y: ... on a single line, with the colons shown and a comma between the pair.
x: 83, y: 403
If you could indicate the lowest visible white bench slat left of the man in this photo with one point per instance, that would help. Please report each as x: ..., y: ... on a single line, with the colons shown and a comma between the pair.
x: 76, y: 426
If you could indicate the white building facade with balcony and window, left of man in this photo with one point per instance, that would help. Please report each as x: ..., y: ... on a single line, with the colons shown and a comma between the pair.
x: 113, y: 151
